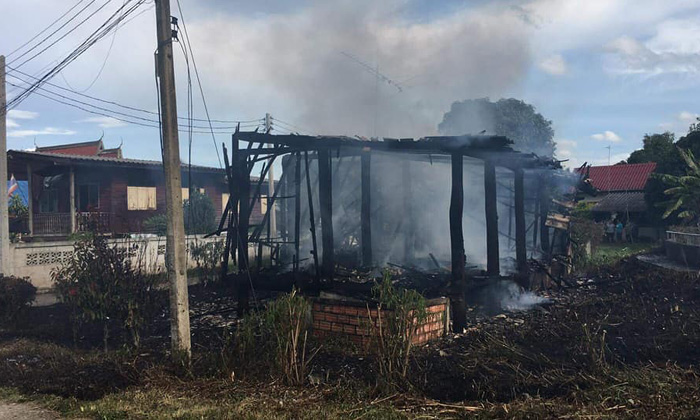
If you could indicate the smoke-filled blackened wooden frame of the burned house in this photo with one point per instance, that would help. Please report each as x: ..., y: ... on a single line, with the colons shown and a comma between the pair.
x: 457, y: 207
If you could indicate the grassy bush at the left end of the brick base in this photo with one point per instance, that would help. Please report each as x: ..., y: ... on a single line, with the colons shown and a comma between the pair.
x: 273, y: 340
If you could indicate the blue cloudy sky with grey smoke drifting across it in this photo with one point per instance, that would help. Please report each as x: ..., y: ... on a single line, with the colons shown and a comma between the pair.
x: 605, y: 72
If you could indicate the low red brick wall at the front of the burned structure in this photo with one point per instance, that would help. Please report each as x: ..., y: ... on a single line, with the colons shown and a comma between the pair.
x: 352, y: 320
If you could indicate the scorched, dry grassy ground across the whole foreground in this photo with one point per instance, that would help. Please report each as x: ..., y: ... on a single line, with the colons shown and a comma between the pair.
x: 623, y: 342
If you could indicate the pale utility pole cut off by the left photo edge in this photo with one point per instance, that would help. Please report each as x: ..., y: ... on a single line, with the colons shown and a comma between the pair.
x: 4, y: 221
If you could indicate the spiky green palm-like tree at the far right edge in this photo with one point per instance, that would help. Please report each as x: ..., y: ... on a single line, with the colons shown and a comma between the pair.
x: 684, y: 190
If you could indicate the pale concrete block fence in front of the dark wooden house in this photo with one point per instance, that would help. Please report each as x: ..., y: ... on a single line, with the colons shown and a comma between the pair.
x: 36, y: 260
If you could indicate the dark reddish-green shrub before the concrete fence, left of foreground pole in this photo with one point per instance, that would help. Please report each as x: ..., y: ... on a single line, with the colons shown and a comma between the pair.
x: 99, y: 284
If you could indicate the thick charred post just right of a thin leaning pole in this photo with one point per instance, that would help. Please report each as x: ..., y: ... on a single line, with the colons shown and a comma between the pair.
x: 325, y: 199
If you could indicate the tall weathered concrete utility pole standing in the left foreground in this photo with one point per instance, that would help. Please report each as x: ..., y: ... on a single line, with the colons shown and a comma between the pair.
x: 175, y: 256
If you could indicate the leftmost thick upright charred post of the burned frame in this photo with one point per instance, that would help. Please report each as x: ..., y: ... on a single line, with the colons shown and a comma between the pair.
x: 243, y: 194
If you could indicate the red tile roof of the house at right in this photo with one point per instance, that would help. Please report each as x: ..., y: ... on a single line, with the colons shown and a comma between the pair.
x: 622, y: 177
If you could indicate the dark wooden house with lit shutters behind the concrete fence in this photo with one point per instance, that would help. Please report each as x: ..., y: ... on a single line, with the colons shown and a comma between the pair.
x: 75, y: 186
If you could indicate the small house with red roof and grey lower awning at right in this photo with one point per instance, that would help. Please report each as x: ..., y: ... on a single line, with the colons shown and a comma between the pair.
x: 619, y: 189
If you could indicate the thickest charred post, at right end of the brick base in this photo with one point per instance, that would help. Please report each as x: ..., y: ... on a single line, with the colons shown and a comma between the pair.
x: 458, y: 285
